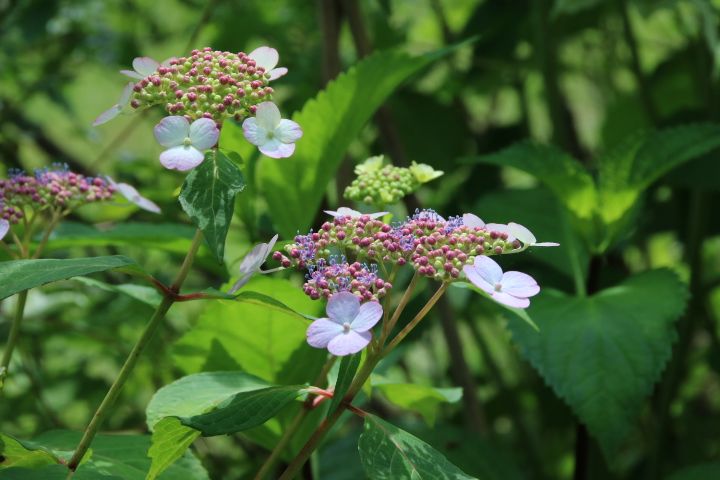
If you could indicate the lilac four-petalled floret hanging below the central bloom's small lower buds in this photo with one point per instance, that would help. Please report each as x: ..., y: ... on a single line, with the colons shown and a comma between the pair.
x: 346, y: 330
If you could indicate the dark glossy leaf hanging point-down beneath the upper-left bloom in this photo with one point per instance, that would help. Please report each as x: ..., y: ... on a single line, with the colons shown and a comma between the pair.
x: 208, y: 197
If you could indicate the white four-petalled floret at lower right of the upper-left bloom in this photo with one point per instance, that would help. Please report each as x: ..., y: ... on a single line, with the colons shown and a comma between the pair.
x: 273, y: 135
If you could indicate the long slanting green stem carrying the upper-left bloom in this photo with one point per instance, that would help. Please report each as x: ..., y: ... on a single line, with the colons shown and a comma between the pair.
x: 104, y: 409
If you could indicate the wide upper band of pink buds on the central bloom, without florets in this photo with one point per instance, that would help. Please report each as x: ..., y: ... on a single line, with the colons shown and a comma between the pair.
x: 434, y: 247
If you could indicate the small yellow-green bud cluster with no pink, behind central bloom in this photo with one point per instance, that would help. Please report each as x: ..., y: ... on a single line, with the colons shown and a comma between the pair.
x: 378, y: 184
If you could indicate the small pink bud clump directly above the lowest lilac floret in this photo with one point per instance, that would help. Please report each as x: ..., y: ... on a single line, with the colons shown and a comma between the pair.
x: 328, y: 278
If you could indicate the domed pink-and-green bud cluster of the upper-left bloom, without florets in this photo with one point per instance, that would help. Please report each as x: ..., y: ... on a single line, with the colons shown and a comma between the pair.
x: 205, y: 84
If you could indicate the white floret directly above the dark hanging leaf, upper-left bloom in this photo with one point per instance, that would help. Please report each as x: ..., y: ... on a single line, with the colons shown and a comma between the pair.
x: 185, y: 142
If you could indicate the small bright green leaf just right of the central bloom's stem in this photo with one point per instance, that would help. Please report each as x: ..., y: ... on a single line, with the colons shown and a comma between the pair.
x: 422, y: 399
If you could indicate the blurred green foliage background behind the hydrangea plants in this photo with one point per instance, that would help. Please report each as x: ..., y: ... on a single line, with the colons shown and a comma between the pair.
x: 581, y: 74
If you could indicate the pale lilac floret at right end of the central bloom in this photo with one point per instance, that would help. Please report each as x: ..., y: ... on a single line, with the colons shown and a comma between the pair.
x: 510, y: 288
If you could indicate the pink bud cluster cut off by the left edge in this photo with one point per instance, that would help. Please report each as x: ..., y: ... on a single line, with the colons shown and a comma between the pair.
x: 48, y: 188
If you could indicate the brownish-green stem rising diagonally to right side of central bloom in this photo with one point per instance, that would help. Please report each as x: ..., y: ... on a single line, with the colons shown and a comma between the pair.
x: 357, y: 384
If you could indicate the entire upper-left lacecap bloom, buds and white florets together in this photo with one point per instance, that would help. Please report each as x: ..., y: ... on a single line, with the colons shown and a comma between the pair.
x: 209, y: 86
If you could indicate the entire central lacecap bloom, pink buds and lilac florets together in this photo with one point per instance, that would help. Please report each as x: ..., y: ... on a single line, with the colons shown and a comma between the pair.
x: 345, y: 257
